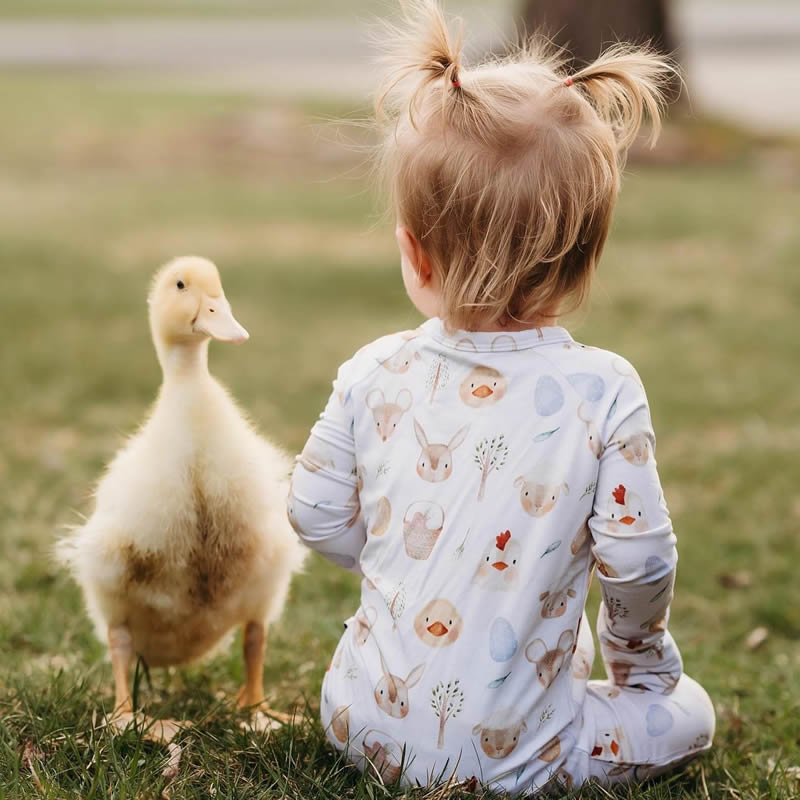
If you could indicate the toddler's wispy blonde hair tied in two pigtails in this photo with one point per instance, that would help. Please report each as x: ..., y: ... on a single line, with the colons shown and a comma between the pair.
x: 507, y: 173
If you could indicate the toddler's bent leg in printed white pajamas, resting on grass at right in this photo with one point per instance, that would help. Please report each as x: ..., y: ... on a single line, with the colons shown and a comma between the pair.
x: 632, y: 735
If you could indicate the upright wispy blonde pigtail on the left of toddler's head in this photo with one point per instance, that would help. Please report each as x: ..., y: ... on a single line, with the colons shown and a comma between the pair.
x: 422, y: 46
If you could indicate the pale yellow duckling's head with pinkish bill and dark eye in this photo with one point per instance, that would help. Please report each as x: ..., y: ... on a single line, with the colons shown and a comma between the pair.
x: 188, y: 307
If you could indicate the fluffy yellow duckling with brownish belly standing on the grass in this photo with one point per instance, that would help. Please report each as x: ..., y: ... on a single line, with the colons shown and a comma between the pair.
x: 189, y: 537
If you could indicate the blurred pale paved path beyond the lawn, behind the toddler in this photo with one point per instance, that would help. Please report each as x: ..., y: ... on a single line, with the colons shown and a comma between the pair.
x: 743, y: 60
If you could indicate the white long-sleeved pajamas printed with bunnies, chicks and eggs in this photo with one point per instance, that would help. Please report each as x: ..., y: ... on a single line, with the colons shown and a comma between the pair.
x: 474, y: 481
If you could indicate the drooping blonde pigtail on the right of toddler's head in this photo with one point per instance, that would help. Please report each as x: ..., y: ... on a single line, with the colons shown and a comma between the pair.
x: 627, y: 85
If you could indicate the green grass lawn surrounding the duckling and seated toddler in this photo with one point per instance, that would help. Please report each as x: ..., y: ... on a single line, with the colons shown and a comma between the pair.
x: 99, y: 184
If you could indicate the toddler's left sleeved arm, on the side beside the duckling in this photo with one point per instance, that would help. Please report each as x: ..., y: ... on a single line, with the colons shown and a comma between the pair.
x: 323, y: 501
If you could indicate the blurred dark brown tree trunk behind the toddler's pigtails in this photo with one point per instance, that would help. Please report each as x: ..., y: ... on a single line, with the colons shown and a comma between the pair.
x: 586, y: 28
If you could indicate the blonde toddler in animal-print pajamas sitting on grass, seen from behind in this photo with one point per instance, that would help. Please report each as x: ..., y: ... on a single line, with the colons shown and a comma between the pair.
x: 475, y: 471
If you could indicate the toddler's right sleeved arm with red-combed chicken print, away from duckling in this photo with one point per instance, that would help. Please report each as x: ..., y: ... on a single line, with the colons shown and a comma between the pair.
x: 635, y: 549
